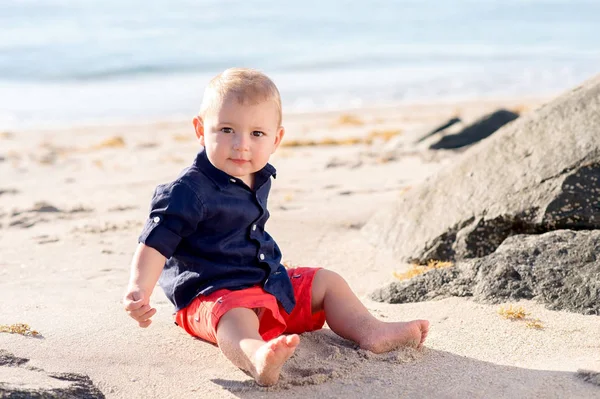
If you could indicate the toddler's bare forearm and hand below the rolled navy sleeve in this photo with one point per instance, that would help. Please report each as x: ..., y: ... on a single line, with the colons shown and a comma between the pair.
x: 146, y: 266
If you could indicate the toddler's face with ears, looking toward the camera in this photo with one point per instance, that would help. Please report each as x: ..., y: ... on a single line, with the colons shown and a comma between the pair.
x: 240, y: 138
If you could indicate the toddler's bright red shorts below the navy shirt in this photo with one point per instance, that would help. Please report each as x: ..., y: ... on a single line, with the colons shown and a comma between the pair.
x: 201, y: 317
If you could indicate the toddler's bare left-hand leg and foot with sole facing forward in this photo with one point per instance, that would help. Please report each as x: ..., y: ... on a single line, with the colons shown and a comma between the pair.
x: 238, y: 339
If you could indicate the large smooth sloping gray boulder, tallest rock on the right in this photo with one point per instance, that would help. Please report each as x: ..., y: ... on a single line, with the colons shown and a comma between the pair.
x: 539, y: 173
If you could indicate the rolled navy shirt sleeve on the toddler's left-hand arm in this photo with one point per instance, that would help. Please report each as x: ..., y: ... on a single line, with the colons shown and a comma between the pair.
x: 175, y: 212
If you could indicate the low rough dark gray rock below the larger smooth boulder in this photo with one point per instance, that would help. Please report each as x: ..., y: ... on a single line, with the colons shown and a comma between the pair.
x: 560, y: 269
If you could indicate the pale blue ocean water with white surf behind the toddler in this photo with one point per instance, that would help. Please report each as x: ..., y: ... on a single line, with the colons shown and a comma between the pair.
x: 87, y: 61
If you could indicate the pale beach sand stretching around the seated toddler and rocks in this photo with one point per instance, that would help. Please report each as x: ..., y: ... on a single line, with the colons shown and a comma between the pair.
x: 73, y: 201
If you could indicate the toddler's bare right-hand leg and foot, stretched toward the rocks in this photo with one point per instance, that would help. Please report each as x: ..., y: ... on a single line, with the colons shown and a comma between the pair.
x: 349, y: 318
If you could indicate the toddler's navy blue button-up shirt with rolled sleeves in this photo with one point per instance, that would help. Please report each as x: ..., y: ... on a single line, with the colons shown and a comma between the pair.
x: 210, y: 227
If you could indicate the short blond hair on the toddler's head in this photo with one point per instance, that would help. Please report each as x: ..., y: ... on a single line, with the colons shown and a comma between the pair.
x: 248, y: 86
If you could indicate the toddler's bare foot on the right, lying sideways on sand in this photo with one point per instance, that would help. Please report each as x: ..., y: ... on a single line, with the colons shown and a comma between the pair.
x: 389, y: 336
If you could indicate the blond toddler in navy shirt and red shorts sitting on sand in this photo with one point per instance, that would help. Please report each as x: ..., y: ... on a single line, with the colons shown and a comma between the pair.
x: 206, y: 245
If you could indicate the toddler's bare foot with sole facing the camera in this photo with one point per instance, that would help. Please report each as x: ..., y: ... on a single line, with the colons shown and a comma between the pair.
x: 270, y: 357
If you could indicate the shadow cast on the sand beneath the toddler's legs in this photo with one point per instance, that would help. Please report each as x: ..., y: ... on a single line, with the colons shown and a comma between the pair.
x: 327, y: 366
